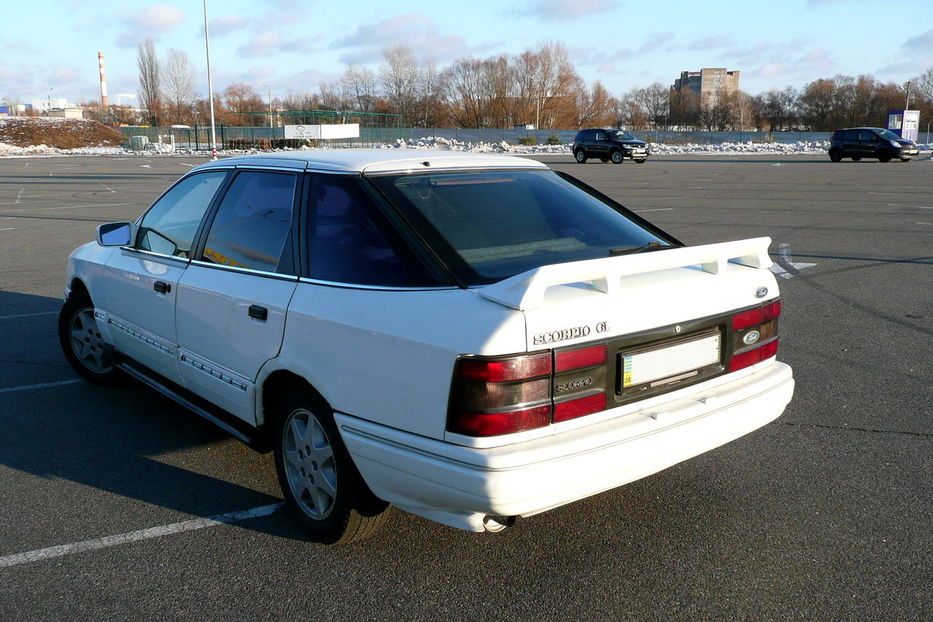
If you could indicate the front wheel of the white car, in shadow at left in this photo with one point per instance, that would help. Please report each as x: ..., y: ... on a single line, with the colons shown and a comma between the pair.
x: 81, y: 341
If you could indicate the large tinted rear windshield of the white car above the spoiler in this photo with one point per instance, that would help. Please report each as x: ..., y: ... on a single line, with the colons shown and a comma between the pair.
x: 490, y: 225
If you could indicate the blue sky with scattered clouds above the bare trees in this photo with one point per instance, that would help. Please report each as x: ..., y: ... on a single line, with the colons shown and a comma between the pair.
x: 287, y: 46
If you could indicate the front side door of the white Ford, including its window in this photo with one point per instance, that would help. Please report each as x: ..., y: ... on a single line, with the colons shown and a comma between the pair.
x: 137, y: 299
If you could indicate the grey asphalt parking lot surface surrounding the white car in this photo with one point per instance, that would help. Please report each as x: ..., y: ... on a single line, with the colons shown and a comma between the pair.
x: 825, y: 514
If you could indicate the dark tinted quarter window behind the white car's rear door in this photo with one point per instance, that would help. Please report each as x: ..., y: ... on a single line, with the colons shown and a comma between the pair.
x: 349, y: 241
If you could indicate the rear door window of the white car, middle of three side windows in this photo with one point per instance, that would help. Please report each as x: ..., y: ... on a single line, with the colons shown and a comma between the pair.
x: 252, y: 228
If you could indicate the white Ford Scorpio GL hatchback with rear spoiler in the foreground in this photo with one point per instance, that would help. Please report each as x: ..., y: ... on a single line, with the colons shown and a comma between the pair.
x: 470, y: 338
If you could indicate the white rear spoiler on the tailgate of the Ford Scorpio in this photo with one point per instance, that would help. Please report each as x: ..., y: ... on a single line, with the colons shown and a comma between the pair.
x: 527, y: 290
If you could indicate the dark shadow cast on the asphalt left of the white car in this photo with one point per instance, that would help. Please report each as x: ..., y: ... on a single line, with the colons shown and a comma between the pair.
x: 126, y: 440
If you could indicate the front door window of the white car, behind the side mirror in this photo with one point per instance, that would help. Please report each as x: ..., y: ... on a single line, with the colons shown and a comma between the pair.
x: 169, y: 227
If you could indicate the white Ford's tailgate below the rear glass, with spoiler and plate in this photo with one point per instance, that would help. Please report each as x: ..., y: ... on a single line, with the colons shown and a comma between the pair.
x: 664, y: 319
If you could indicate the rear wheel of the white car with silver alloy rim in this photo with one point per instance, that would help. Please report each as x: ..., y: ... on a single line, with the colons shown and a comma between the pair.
x: 321, y: 484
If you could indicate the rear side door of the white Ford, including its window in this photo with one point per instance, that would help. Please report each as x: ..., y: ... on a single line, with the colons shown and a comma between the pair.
x: 232, y: 298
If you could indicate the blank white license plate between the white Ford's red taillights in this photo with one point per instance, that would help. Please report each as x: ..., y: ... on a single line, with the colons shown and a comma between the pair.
x: 669, y: 362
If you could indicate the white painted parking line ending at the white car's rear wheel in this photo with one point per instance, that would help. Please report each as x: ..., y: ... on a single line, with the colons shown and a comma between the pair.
x: 136, y: 536
